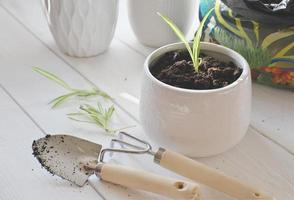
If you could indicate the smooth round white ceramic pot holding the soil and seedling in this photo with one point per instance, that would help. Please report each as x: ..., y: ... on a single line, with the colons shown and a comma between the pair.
x: 197, y: 123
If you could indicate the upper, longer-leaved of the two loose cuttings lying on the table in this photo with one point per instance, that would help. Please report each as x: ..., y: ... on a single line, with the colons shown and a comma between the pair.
x: 73, y: 92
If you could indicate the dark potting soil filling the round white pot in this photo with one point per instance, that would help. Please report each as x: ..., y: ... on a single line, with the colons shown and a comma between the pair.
x: 176, y: 68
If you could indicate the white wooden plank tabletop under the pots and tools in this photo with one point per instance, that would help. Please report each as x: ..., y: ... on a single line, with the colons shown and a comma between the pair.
x: 265, y: 157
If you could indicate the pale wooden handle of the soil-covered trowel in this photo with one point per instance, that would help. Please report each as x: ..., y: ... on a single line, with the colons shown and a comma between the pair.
x: 142, y: 180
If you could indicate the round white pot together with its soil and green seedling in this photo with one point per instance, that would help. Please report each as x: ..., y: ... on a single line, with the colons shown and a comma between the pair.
x: 195, y: 98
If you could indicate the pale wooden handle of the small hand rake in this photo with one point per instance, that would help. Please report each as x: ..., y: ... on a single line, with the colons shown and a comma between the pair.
x: 208, y: 176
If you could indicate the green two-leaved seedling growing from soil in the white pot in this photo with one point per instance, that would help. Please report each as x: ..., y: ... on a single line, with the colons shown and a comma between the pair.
x: 195, y: 50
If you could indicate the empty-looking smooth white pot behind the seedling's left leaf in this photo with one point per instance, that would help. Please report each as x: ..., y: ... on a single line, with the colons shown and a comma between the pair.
x: 150, y: 29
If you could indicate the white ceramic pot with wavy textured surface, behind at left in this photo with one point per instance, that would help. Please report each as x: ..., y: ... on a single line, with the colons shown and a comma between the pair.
x: 82, y: 28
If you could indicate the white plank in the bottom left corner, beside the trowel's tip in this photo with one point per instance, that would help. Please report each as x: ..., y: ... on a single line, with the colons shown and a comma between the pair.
x: 21, y: 175
